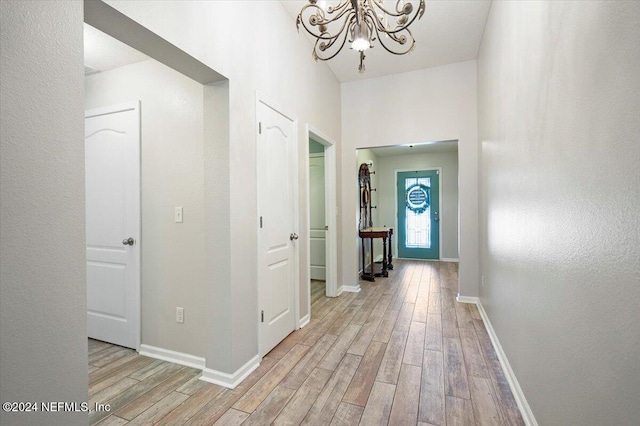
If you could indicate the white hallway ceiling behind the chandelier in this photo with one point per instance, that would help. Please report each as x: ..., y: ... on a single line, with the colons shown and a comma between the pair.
x: 449, y: 32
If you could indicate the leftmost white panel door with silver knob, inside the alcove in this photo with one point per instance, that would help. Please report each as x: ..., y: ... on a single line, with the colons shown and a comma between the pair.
x: 112, y: 169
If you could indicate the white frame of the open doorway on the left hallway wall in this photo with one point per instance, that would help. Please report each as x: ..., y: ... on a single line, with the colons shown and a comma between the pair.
x: 331, y: 245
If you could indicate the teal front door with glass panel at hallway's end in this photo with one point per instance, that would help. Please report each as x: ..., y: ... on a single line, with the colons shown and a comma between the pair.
x: 419, y: 214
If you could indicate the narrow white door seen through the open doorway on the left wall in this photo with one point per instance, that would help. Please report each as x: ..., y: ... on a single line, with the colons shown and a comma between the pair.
x: 318, y: 249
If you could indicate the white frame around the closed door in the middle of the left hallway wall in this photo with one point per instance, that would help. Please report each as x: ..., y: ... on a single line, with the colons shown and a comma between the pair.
x: 261, y: 98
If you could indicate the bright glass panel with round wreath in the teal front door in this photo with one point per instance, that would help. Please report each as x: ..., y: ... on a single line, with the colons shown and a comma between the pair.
x: 418, y: 212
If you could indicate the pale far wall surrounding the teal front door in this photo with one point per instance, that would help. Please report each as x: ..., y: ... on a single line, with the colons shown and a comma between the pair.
x: 448, y: 161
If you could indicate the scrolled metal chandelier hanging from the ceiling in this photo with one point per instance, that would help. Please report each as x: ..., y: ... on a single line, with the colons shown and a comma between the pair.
x: 362, y: 22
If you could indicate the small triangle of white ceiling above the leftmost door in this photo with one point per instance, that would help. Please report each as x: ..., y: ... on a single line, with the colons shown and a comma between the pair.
x: 103, y: 52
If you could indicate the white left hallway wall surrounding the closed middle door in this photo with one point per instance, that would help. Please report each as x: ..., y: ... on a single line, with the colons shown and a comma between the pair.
x: 273, y: 59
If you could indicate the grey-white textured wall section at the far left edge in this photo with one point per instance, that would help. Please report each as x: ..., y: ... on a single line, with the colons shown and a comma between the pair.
x: 43, y: 352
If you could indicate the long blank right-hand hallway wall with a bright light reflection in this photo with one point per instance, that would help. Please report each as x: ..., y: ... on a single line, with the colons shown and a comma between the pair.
x: 558, y: 104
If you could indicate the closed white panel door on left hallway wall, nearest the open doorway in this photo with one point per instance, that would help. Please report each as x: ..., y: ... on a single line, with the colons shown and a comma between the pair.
x: 277, y: 278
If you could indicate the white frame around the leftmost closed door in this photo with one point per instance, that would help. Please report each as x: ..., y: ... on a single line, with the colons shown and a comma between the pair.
x: 137, y: 248
